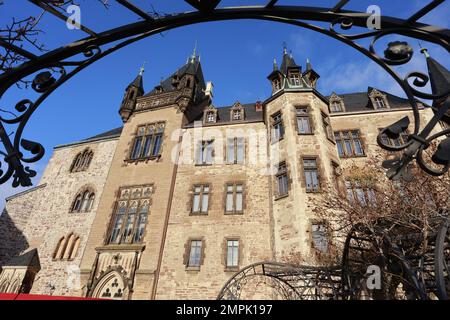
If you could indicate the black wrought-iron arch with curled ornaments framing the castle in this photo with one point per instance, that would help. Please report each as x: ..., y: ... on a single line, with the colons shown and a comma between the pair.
x: 54, y: 68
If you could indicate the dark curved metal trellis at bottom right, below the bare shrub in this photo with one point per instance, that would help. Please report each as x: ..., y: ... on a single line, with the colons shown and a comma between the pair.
x: 413, y: 266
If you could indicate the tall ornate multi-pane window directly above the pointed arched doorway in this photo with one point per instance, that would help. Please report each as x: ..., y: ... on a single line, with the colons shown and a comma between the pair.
x: 131, y: 214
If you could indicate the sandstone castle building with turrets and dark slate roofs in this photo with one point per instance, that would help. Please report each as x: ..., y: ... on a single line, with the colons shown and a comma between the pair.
x: 186, y: 193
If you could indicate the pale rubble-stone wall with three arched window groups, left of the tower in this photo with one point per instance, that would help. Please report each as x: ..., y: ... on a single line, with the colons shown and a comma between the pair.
x: 40, y: 217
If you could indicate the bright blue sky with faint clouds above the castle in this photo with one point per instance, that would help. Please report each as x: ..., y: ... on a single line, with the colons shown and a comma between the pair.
x: 236, y: 55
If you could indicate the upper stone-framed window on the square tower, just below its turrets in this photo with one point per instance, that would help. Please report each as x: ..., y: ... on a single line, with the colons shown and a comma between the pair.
x: 148, y: 141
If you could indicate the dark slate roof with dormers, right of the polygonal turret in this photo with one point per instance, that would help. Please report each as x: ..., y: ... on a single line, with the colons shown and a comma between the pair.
x: 359, y: 101
